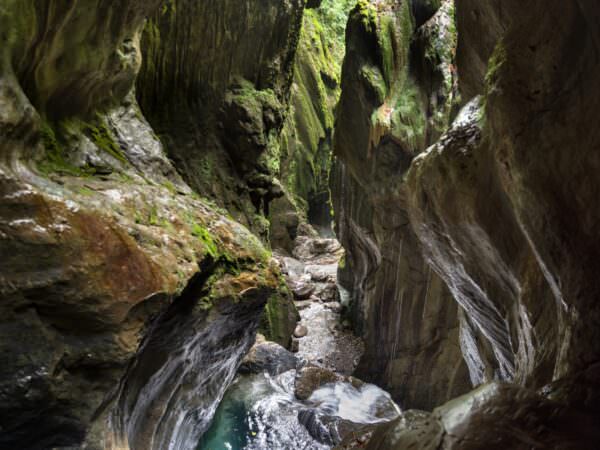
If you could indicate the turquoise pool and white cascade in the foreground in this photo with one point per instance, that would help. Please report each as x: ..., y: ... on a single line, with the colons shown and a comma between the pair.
x: 260, y: 412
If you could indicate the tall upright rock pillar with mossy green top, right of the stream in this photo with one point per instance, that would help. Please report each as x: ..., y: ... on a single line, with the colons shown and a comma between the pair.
x: 398, y: 90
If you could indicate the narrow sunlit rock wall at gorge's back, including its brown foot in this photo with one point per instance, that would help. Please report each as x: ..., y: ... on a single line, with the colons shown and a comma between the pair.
x: 305, y: 143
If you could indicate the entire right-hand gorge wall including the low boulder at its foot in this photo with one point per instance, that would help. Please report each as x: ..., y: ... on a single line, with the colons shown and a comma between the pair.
x: 504, y: 207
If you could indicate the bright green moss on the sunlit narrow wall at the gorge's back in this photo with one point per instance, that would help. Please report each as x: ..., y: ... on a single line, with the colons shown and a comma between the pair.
x: 304, y: 149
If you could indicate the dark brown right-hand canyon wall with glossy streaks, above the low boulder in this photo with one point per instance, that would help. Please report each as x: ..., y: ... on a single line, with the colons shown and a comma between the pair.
x: 508, y: 232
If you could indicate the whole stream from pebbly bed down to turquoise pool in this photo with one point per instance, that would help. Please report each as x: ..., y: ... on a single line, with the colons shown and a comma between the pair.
x: 306, y: 400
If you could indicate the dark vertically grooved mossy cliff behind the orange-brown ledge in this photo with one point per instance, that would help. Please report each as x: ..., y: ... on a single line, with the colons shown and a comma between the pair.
x: 215, y: 84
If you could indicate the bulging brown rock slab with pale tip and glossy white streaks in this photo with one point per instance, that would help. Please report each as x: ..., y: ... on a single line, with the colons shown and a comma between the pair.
x: 509, y: 331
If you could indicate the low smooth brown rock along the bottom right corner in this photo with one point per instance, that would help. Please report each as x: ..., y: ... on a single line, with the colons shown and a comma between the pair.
x: 494, y: 416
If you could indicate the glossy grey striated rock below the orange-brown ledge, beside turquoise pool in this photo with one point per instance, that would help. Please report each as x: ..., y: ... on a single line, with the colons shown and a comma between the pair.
x: 190, y: 356
